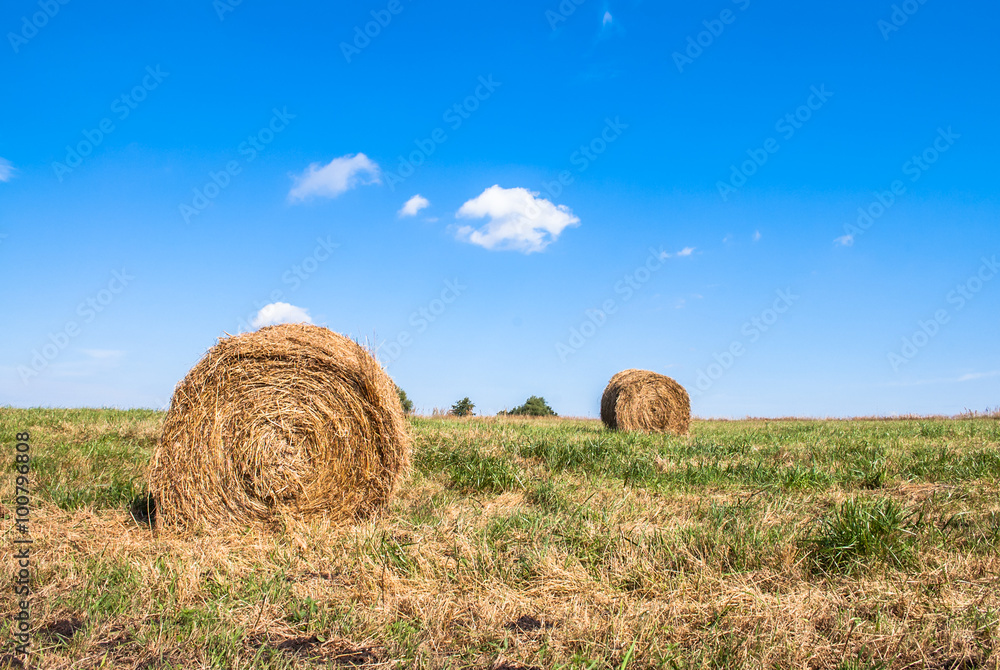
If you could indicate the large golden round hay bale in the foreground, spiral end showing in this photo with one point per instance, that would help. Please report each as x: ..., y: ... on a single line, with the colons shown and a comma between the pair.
x: 288, y: 421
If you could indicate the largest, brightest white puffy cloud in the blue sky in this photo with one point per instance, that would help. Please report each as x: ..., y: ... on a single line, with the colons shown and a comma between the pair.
x: 519, y: 220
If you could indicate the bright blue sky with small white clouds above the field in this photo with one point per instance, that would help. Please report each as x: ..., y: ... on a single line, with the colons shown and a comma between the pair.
x: 792, y: 211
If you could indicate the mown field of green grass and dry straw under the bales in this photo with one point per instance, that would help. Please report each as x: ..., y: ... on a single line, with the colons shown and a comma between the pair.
x: 548, y: 543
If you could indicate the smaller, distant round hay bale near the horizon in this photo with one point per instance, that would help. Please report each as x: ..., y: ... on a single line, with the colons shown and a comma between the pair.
x: 643, y: 401
